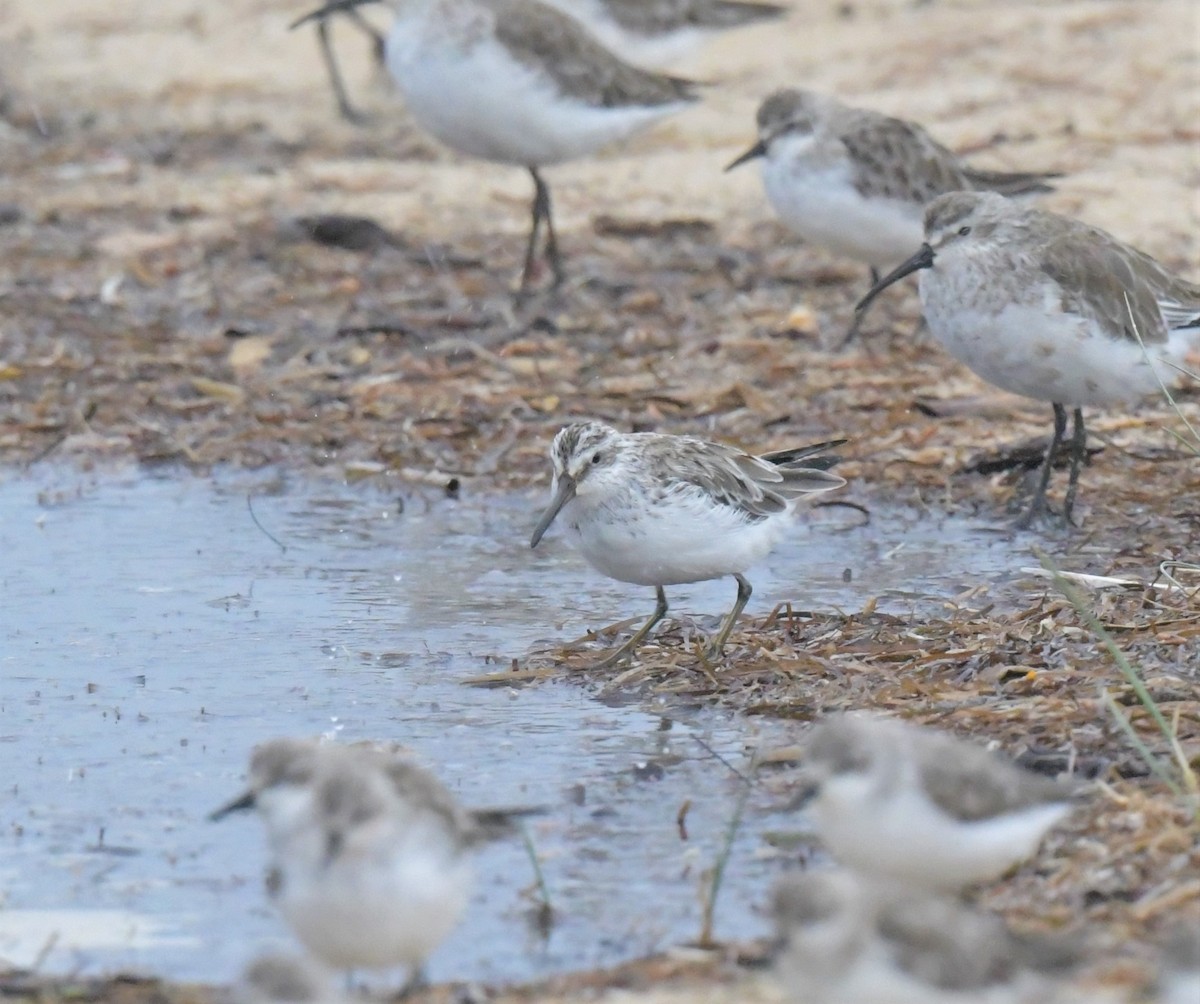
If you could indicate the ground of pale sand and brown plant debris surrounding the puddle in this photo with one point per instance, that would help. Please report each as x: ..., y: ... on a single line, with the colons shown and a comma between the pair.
x: 159, y: 303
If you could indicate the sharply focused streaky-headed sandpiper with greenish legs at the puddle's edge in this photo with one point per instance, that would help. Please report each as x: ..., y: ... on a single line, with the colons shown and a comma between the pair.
x: 663, y: 510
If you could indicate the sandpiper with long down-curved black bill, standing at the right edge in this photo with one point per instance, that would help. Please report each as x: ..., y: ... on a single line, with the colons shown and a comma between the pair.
x: 1052, y: 309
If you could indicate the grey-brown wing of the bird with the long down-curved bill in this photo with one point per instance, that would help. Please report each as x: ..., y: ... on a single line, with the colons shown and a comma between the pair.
x: 1119, y: 287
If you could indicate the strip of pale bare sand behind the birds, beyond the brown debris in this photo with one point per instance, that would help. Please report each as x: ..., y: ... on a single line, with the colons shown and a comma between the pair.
x: 1105, y: 92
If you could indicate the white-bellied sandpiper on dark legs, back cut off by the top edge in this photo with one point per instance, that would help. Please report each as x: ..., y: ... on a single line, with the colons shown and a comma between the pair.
x: 518, y: 82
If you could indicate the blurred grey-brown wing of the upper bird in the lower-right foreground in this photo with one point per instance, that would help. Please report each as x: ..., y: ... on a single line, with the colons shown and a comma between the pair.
x: 969, y: 783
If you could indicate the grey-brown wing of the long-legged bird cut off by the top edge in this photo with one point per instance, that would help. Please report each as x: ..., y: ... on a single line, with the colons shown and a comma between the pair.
x: 562, y: 50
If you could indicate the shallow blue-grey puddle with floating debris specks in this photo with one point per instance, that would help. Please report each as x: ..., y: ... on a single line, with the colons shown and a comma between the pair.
x: 151, y: 634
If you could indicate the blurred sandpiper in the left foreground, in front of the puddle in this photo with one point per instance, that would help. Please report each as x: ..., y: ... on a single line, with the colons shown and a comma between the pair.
x: 370, y: 853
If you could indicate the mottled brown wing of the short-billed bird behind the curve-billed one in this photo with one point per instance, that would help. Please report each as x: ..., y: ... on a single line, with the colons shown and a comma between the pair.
x: 899, y: 160
